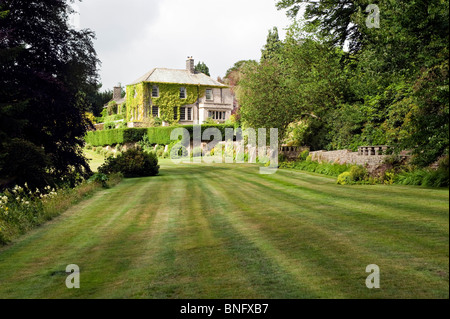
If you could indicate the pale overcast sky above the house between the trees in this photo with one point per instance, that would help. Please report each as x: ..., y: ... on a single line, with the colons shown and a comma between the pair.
x: 134, y: 36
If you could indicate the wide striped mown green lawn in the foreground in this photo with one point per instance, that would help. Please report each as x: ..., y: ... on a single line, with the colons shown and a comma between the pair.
x: 225, y: 231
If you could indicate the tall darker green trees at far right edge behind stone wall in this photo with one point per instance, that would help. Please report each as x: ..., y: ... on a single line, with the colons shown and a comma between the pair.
x: 397, y: 74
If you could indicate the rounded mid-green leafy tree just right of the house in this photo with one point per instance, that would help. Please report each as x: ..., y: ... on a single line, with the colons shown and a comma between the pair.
x: 303, y: 83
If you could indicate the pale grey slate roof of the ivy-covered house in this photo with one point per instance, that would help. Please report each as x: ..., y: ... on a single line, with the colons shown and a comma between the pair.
x: 161, y: 75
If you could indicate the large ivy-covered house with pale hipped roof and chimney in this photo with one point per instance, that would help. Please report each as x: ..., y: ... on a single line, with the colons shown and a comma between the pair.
x: 178, y: 96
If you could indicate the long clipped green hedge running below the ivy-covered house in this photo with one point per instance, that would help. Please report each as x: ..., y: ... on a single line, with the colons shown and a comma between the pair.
x: 157, y: 135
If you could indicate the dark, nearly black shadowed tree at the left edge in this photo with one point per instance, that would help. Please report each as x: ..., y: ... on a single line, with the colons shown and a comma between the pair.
x: 45, y: 71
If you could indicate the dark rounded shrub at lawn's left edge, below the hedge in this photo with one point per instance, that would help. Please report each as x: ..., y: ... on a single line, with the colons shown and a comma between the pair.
x: 132, y: 163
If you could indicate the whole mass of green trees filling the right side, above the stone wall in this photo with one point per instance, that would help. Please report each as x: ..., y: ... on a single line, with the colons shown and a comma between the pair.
x: 341, y: 84
